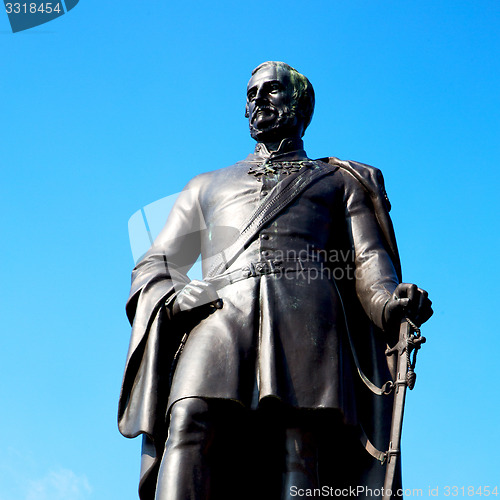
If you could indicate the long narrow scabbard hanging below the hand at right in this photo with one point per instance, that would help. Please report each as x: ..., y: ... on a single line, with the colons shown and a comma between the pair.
x: 393, y: 453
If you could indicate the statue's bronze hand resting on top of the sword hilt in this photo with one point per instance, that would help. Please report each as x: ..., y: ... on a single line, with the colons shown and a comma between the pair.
x: 407, y: 301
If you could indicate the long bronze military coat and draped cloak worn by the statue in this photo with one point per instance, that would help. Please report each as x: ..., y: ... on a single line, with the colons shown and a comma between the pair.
x: 281, y: 335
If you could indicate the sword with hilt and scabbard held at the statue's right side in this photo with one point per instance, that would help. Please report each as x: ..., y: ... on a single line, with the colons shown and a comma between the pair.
x: 410, y: 340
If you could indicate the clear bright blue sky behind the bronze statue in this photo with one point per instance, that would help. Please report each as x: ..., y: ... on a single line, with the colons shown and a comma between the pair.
x: 111, y: 107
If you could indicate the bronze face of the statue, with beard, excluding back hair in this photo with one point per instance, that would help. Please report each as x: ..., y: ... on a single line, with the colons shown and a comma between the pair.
x: 271, y: 106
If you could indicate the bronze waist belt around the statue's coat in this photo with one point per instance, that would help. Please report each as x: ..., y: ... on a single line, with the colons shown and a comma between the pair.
x: 262, y: 268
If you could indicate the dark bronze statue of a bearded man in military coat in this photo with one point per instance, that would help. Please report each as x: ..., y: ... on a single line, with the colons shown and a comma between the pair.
x: 246, y: 384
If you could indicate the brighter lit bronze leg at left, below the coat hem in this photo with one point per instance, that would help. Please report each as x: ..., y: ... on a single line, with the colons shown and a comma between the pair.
x: 184, y: 473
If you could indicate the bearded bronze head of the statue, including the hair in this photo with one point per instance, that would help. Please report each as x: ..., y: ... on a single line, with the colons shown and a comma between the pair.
x: 280, y: 102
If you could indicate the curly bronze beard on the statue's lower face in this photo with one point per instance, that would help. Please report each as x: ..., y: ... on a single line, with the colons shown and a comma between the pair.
x: 272, y: 129
